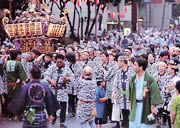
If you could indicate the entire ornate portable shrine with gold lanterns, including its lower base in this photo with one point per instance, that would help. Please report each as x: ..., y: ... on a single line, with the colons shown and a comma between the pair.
x: 35, y: 28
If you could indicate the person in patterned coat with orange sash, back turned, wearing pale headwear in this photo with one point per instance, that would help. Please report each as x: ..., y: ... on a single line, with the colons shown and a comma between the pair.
x: 87, y: 96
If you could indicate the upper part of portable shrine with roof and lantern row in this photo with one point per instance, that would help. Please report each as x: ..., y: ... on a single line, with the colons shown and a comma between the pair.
x: 36, y: 22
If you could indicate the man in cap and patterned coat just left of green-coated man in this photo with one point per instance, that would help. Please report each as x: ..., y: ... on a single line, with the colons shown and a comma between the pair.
x: 120, y: 89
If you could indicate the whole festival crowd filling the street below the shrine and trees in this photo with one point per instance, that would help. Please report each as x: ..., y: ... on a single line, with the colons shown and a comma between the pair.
x: 132, y: 80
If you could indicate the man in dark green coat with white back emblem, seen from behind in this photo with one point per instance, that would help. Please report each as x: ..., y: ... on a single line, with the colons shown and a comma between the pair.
x: 16, y: 76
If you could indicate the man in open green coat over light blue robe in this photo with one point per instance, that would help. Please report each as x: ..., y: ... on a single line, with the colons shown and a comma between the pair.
x: 144, y: 95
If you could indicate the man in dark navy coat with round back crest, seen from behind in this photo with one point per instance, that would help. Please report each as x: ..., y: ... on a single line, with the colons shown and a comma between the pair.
x: 34, y: 100
